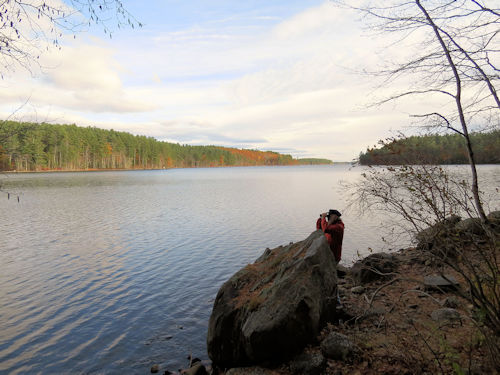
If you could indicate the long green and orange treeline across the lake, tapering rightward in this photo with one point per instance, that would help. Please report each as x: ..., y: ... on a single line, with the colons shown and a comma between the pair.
x: 28, y: 146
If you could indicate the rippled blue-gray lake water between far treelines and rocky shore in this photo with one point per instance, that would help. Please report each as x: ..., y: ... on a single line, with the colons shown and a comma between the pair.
x: 111, y: 272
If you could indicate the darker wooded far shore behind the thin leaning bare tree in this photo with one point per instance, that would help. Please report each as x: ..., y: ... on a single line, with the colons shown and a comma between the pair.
x: 435, y: 149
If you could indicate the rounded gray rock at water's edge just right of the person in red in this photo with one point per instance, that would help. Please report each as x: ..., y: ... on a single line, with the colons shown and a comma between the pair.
x: 373, y: 267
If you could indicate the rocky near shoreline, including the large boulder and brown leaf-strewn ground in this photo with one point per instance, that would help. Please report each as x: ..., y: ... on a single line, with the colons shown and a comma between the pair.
x: 399, y: 313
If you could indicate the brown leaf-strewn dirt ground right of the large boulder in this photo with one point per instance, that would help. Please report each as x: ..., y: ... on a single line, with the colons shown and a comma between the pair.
x: 390, y: 322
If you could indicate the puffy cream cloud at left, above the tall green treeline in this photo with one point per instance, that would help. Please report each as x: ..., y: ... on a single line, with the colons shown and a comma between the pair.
x: 80, y: 77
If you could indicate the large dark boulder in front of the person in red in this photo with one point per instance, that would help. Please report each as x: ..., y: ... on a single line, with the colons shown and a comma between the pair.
x: 269, y: 310
